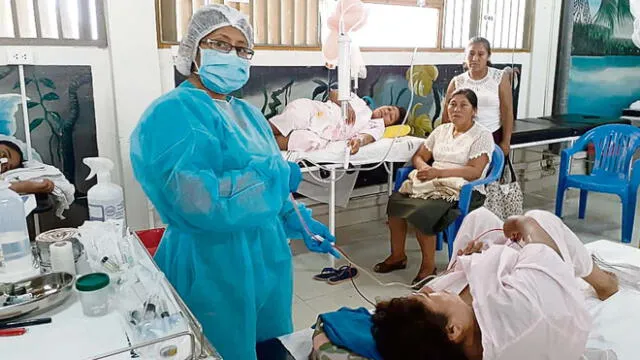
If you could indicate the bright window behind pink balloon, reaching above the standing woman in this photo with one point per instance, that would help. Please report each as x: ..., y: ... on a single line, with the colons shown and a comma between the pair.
x: 441, y: 24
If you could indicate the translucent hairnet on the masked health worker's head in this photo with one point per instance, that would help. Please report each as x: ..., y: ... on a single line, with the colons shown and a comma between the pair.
x: 204, y: 22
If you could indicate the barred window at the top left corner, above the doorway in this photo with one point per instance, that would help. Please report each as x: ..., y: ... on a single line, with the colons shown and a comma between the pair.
x: 52, y: 22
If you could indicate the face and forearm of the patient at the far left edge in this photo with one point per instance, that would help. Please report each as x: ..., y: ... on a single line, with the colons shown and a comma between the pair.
x: 11, y: 158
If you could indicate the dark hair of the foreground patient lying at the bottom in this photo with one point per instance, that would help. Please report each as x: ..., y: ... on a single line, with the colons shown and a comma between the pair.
x: 405, y: 329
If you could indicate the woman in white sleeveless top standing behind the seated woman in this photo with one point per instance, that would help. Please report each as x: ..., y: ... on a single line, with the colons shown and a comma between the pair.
x: 493, y: 89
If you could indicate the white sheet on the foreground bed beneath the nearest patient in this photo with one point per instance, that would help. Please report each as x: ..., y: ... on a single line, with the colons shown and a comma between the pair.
x: 616, y: 321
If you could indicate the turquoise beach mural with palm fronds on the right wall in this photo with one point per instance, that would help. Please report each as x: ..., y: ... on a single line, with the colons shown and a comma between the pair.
x: 604, y: 77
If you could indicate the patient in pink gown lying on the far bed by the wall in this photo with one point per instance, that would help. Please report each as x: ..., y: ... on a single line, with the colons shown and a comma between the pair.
x: 307, y: 125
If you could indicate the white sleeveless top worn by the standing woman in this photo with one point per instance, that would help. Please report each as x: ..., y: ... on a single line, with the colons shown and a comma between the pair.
x: 488, y: 92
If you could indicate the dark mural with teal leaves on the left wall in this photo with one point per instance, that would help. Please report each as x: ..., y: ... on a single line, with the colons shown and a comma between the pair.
x: 61, y: 121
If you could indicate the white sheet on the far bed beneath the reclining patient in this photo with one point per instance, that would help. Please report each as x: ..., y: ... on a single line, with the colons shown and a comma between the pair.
x: 402, y: 149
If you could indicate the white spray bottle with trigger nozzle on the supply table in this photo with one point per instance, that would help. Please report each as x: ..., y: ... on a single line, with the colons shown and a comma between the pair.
x: 106, y: 199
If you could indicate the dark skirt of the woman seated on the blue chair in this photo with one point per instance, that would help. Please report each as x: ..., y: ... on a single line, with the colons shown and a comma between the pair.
x: 429, y: 216
